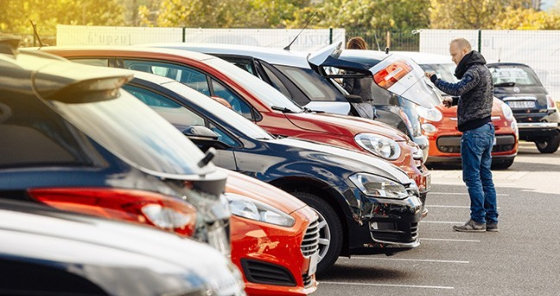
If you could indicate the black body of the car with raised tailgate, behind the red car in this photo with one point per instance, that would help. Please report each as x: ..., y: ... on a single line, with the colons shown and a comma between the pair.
x: 298, y: 77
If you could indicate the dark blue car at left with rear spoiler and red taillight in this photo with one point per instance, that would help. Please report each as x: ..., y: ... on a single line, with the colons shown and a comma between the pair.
x: 72, y: 139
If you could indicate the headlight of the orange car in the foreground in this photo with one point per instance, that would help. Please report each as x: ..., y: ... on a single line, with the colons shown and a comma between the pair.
x: 247, y: 208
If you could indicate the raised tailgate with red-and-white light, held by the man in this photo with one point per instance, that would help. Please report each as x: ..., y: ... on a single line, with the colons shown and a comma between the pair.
x: 398, y: 74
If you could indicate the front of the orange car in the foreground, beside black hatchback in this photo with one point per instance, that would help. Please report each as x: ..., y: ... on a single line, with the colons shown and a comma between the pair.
x: 274, y: 238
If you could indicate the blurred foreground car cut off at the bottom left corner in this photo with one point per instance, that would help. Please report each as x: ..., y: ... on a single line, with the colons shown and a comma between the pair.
x: 49, y: 252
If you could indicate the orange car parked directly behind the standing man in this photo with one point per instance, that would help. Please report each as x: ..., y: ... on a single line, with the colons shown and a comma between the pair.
x: 440, y: 126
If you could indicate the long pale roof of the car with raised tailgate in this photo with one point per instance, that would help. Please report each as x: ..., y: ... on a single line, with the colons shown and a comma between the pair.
x: 270, y: 55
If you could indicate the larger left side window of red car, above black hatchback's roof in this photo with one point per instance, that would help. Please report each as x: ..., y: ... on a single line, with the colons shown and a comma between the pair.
x: 189, y: 76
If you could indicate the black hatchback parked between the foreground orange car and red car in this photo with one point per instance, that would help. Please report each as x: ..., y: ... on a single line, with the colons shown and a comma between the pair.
x: 370, y: 205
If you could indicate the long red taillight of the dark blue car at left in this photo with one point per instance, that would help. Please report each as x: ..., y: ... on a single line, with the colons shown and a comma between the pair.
x: 123, y: 204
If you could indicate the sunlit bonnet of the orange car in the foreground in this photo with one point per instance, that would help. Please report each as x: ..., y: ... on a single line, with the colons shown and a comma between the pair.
x: 263, y: 192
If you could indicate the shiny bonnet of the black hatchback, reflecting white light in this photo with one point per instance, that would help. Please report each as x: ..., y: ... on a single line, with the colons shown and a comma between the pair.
x: 347, y: 159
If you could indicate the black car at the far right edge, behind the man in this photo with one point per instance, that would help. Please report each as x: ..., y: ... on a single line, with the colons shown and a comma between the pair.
x: 533, y: 108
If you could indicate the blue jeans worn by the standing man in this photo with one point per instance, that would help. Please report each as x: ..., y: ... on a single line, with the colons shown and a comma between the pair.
x: 476, y: 148
